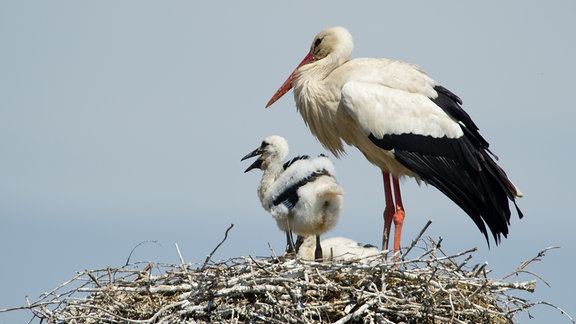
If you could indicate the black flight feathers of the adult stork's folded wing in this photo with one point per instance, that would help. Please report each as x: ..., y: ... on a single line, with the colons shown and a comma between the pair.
x: 461, y: 168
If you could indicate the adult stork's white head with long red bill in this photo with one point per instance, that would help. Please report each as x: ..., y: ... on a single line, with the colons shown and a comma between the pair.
x: 331, y: 48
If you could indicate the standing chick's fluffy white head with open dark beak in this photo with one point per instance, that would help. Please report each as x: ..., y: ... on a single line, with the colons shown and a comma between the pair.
x: 273, y: 150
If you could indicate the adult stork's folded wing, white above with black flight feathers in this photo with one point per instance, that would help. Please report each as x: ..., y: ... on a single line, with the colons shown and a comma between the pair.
x: 436, y: 139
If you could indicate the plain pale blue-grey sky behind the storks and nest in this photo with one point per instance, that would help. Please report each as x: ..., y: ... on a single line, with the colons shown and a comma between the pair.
x: 122, y: 122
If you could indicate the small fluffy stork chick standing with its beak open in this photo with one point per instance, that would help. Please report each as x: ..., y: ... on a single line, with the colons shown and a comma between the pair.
x: 302, y: 194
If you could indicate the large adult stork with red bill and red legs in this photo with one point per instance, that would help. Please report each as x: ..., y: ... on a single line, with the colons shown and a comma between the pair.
x: 405, y: 123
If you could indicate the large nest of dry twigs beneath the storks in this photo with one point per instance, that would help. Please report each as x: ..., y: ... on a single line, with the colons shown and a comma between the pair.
x: 433, y: 287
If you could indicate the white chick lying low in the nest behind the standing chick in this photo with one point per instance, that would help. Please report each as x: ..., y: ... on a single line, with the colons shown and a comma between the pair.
x: 336, y: 249
